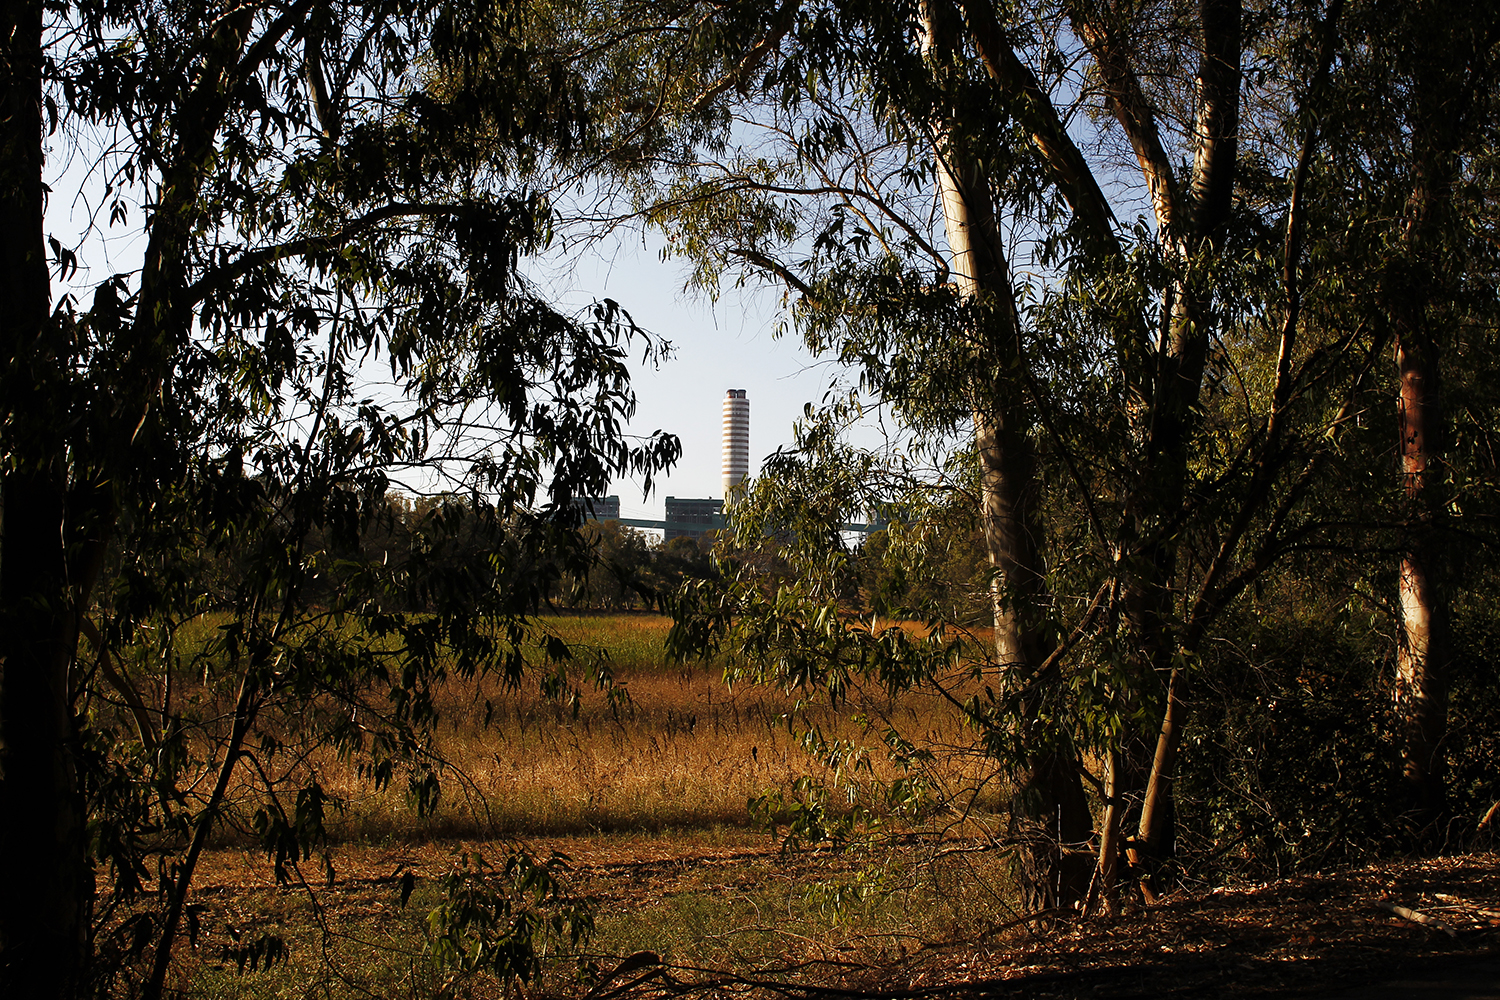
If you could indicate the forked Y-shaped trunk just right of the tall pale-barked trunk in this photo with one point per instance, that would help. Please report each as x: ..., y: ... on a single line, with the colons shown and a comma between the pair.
x: 1190, y: 224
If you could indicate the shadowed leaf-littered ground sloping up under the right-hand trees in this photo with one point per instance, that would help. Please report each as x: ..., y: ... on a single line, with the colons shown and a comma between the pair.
x: 1298, y: 938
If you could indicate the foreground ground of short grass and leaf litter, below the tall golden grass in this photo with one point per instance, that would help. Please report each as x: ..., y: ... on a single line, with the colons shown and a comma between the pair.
x: 1312, y: 936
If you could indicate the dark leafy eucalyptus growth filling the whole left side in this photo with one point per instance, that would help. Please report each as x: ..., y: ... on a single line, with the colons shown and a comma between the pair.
x: 310, y: 212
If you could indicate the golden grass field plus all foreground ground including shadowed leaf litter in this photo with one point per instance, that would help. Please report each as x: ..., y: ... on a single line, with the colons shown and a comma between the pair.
x: 647, y: 800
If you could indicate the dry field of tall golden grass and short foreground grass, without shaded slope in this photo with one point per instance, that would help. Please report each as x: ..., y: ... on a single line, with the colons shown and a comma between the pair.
x: 647, y: 795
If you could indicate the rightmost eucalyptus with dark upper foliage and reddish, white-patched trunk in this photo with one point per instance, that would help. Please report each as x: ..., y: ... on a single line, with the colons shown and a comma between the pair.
x: 1412, y: 167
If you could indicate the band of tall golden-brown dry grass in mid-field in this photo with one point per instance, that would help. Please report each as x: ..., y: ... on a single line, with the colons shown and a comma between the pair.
x: 685, y: 750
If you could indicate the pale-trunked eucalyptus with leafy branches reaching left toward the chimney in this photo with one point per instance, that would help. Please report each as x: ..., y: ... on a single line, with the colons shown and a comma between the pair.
x: 832, y: 193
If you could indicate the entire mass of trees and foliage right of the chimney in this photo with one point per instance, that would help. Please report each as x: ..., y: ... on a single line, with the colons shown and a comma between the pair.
x: 1153, y: 365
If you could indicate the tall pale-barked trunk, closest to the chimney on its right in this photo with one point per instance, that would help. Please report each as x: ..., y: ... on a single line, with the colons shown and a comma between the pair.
x: 1051, y: 809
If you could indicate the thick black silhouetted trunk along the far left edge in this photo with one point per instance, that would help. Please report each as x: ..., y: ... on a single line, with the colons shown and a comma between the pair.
x: 47, y: 890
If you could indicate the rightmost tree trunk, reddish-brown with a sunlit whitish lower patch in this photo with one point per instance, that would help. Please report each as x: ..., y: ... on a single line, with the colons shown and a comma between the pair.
x: 1447, y: 119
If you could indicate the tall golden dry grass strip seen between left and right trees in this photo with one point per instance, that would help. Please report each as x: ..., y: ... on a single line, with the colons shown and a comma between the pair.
x: 676, y: 749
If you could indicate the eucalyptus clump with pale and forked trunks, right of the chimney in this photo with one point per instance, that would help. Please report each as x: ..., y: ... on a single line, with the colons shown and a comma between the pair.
x: 1159, y: 379
